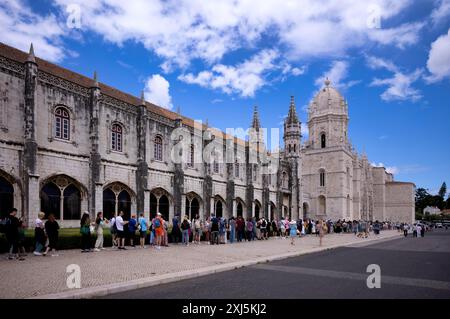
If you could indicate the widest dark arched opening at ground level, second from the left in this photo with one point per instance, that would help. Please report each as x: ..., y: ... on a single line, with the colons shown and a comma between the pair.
x: 61, y: 196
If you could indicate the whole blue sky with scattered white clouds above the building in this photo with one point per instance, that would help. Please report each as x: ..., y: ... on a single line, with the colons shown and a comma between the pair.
x: 215, y: 60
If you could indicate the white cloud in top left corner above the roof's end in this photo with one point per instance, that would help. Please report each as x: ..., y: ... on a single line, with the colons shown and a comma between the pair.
x: 20, y: 26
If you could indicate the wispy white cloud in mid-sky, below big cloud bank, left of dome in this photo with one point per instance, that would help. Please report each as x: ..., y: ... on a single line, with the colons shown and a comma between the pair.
x: 245, y: 78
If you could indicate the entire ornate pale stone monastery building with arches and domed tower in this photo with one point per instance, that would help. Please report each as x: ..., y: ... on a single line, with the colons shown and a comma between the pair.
x: 117, y: 153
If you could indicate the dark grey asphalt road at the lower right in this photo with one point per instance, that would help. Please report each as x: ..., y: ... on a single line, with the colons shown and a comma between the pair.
x: 410, y: 268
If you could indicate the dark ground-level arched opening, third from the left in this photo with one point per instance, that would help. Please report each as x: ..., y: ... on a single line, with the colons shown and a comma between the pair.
x: 117, y: 197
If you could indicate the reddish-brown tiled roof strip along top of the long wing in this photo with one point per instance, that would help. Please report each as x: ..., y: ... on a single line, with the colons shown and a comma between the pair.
x: 53, y: 69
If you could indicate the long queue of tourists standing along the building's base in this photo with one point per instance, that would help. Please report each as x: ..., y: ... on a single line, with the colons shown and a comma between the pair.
x: 157, y: 231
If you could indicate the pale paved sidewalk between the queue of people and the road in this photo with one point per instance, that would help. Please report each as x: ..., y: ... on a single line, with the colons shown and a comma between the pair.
x: 114, y: 271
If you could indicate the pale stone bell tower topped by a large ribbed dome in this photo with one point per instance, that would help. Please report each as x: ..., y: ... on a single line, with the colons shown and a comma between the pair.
x: 327, y: 159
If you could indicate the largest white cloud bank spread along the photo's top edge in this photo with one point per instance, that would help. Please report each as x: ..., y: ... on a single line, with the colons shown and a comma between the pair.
x: 180, y: 31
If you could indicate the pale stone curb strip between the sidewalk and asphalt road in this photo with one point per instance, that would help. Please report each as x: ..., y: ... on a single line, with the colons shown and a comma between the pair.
x: 104, y: 290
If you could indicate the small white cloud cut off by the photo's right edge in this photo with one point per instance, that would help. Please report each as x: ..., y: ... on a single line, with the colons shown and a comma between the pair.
x: 438, y: 63
